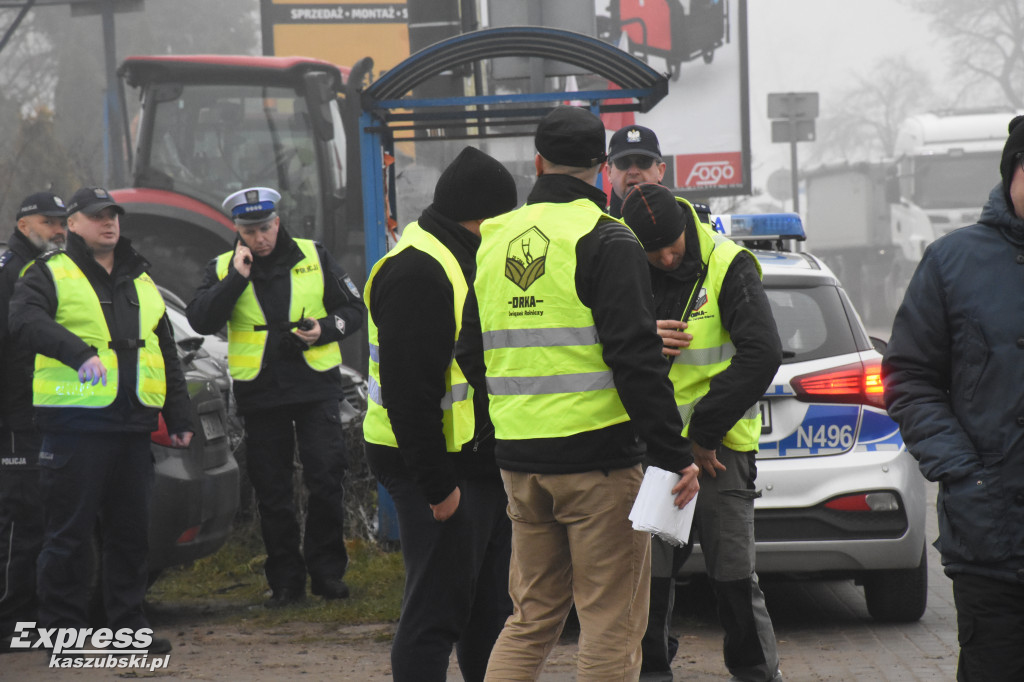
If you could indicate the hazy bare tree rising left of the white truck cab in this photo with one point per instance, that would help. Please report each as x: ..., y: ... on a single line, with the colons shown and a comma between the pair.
x: 865, y: 124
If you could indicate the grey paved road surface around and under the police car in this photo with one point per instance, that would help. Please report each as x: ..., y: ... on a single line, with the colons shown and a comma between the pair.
x: 824, y: 631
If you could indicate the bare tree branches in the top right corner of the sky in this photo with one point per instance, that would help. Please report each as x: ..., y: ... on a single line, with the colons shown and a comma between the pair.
x: 987, y: 44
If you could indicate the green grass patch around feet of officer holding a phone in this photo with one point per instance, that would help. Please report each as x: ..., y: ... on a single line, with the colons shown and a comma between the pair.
x: 232, y: 583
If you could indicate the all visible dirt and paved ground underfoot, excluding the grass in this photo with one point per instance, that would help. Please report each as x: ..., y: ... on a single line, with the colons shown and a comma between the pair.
x: 824, y: 629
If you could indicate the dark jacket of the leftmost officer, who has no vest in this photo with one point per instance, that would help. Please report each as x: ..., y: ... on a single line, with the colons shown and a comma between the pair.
x: 16, y: 359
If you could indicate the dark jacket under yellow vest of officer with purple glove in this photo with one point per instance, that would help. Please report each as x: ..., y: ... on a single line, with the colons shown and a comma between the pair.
x: 33, y: 310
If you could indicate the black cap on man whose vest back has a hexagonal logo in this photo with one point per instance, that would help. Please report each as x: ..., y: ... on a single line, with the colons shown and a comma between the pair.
x: 571, y: 137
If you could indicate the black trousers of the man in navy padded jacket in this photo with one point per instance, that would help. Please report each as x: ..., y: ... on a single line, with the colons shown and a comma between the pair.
x: 991, y: 629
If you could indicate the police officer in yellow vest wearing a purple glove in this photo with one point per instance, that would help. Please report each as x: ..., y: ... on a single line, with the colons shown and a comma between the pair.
x: 106, y: 366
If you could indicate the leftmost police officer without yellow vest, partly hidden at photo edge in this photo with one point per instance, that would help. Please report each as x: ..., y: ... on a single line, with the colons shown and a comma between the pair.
x: 41, y: 223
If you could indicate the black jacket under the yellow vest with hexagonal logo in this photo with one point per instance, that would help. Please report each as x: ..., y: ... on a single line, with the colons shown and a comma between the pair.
x: 612, y: 280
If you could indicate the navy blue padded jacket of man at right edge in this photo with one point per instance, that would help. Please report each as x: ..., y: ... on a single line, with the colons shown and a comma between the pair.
x: 953, y: 371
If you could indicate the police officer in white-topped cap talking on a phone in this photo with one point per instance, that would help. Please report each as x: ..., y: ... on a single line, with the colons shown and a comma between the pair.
x: 287, y: 305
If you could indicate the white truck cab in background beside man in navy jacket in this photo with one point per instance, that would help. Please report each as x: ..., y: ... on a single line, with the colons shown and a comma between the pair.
x: 949, y: 161
